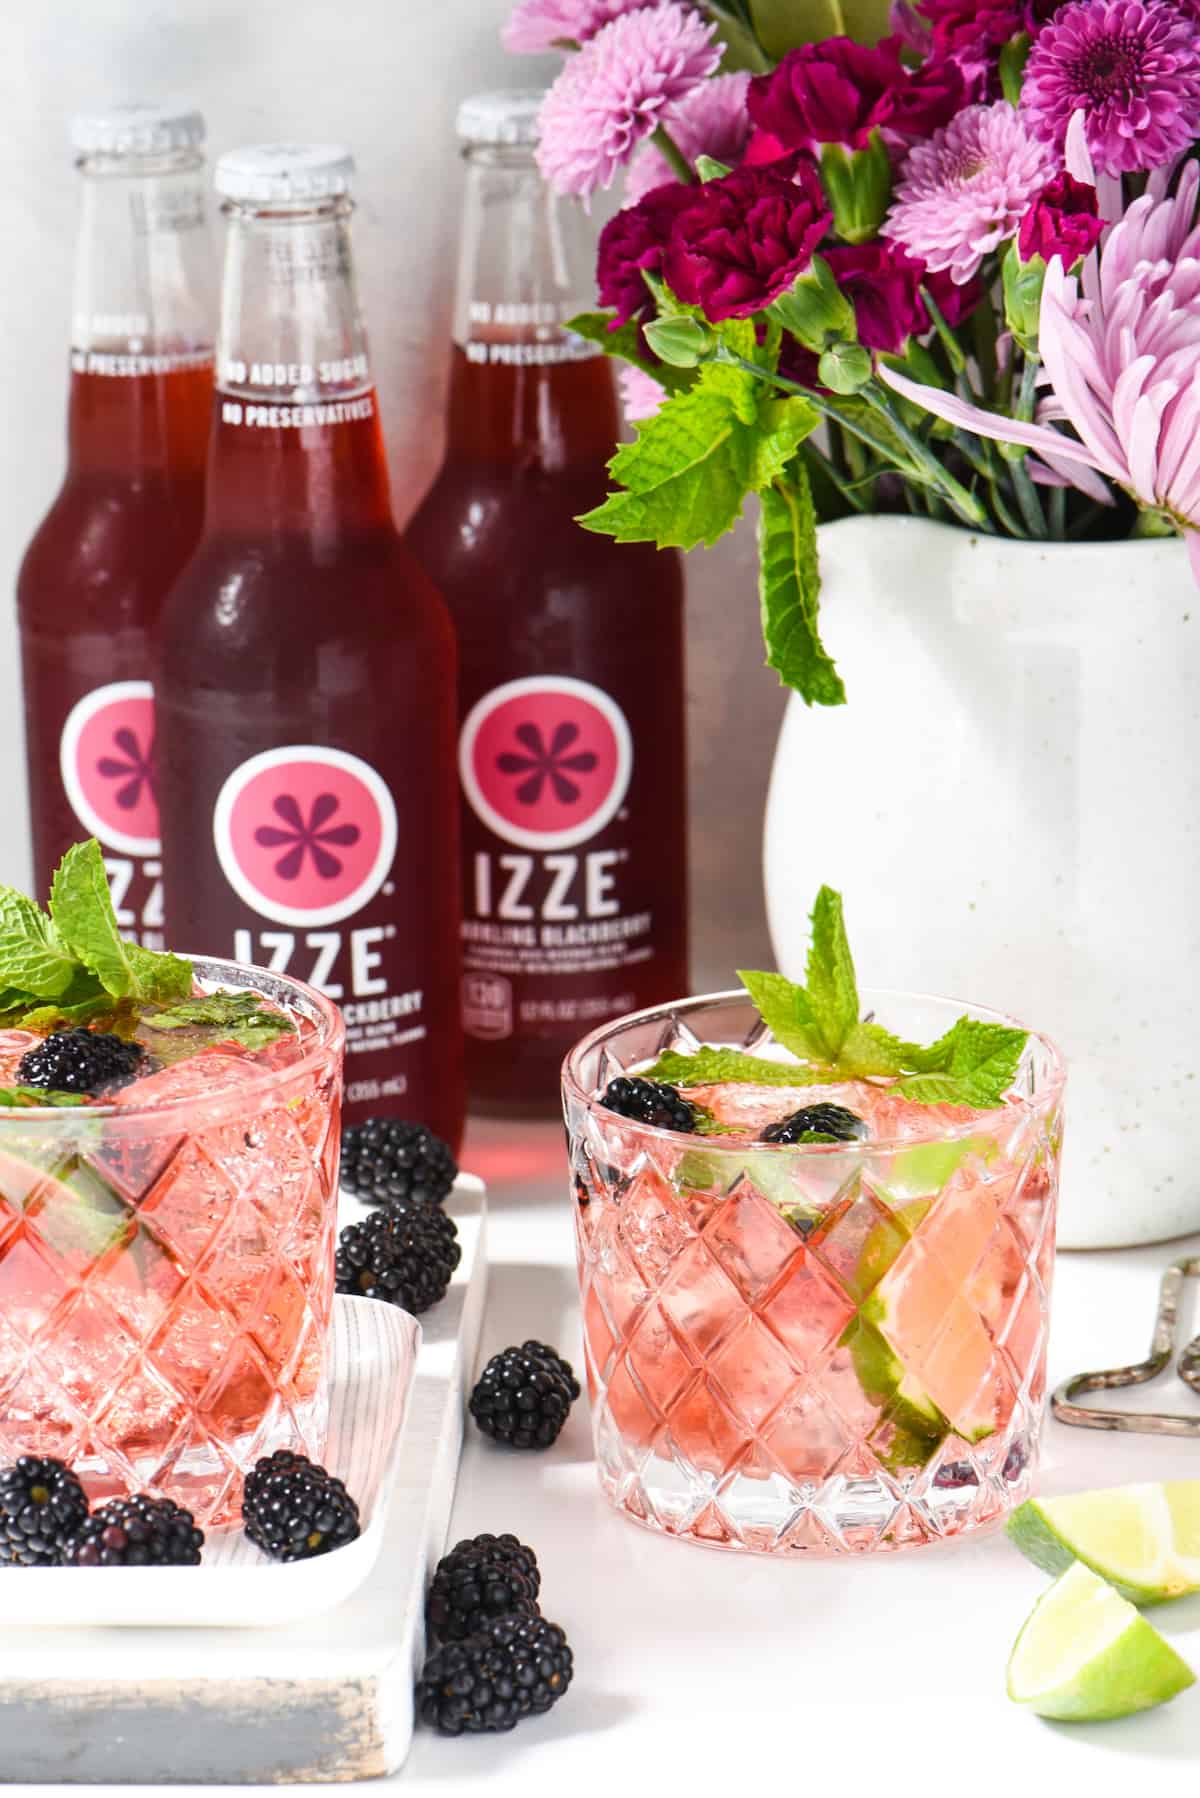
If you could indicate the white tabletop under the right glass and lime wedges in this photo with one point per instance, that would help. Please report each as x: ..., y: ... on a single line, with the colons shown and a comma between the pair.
x: 697, y: 1668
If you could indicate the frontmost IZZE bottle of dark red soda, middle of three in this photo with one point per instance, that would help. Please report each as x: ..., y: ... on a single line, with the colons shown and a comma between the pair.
x: 307, y: 715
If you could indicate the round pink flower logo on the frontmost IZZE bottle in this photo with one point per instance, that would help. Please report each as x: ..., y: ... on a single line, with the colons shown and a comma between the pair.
x: 305, y: 835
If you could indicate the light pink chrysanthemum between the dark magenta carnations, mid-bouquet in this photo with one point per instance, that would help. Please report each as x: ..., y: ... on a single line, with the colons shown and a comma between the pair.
x: 965, y: 191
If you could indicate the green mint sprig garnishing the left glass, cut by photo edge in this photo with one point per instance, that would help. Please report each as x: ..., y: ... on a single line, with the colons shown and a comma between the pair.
x: 73, y: 965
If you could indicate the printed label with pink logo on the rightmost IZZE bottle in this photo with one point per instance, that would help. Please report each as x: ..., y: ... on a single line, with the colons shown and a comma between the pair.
x: 546, y: 767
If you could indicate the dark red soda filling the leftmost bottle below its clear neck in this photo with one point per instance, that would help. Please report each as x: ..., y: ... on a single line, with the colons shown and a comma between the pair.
x: 89, y: 600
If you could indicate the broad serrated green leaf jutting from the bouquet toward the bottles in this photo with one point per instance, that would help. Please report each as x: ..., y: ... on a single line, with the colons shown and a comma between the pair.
x: 692, y: 467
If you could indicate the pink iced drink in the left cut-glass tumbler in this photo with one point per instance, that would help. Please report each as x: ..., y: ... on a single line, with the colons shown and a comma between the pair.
x: 166, y: 1259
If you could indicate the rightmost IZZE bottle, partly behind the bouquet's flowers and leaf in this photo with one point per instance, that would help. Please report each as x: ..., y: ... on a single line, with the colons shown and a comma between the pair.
x: 571, y: 648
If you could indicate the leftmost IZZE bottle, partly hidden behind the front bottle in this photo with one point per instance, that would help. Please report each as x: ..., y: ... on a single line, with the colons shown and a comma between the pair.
x: 132, y: 504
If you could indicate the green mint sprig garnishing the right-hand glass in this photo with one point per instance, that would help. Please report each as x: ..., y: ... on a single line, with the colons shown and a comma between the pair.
x: 819, y: 1022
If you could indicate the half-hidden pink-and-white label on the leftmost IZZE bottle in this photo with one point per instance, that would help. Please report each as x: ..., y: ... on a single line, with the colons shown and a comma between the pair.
x: 107, y: 761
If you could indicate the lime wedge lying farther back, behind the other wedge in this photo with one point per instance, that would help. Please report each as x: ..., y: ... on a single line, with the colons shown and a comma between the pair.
x: 1145, y: 1540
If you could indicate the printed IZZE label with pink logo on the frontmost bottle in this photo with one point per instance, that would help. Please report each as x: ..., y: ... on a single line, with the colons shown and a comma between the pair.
x: 307, y: 839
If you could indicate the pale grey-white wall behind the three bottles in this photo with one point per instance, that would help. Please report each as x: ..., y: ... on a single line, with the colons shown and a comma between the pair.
x: 382, y: 76
